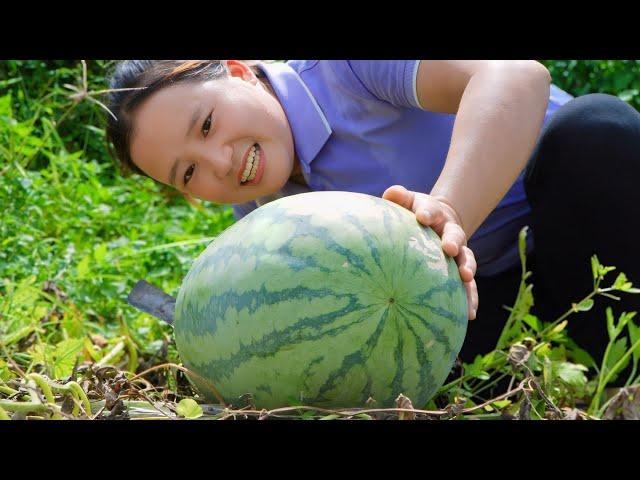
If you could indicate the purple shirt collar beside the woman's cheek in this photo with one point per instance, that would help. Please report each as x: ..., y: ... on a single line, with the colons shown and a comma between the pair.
x: 308, y: 123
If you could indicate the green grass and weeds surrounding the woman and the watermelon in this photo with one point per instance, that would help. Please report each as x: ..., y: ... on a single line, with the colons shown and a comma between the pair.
x: 76, y: 236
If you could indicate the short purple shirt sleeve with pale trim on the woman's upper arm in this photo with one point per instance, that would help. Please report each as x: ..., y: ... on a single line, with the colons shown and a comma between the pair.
x: 393, y: 81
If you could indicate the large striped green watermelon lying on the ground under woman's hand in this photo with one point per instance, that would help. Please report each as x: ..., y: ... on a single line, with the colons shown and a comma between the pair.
x: 324, y: 298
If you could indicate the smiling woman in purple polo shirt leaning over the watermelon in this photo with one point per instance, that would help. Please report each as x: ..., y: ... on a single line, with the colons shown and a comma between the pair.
x: 476, y: 149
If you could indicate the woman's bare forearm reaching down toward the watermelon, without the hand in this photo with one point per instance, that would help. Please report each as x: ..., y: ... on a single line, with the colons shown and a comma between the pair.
x: 497, y: 124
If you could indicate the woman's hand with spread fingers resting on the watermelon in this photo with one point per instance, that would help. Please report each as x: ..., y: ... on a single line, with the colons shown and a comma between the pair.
x: 442, y: 218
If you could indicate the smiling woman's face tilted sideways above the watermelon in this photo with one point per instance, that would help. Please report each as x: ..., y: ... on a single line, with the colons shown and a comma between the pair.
x: 226, y: 140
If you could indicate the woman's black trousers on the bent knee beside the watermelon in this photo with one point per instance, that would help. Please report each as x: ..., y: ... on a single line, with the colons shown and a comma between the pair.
x: 582, y: 182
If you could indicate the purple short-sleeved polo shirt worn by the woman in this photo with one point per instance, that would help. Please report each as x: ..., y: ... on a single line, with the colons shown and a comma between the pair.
x: 358, y: 126
